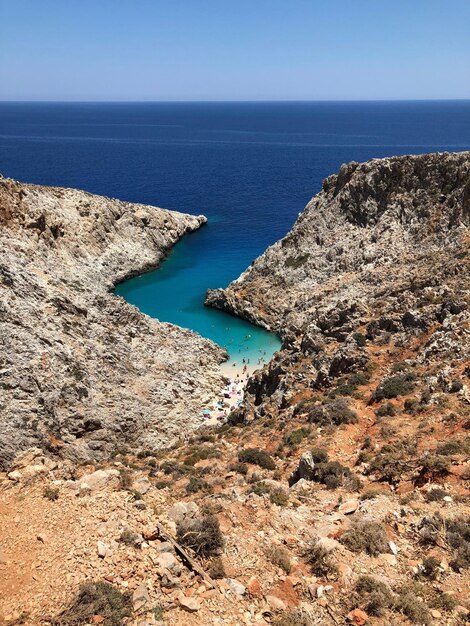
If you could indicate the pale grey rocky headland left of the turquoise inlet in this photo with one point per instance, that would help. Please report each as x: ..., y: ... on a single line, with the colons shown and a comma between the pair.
x: 81, y: 370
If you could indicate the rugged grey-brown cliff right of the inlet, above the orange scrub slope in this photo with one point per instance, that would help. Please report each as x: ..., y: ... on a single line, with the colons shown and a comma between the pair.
x: 383, y: 249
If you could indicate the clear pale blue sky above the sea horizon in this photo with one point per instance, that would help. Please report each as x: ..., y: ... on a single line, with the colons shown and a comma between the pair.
x: 234, y: 49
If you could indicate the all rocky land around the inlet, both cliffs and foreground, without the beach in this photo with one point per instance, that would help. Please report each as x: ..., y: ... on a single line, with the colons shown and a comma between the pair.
x: 337, y: 494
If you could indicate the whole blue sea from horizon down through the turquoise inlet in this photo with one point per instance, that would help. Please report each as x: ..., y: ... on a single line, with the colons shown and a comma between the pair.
x: 249, y: 167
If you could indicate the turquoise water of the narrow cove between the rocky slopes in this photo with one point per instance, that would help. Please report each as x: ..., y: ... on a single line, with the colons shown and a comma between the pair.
x: 175, y: 292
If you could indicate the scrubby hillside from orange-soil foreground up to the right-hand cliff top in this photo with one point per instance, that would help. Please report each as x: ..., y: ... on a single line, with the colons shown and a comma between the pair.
x: 338, y: 493
